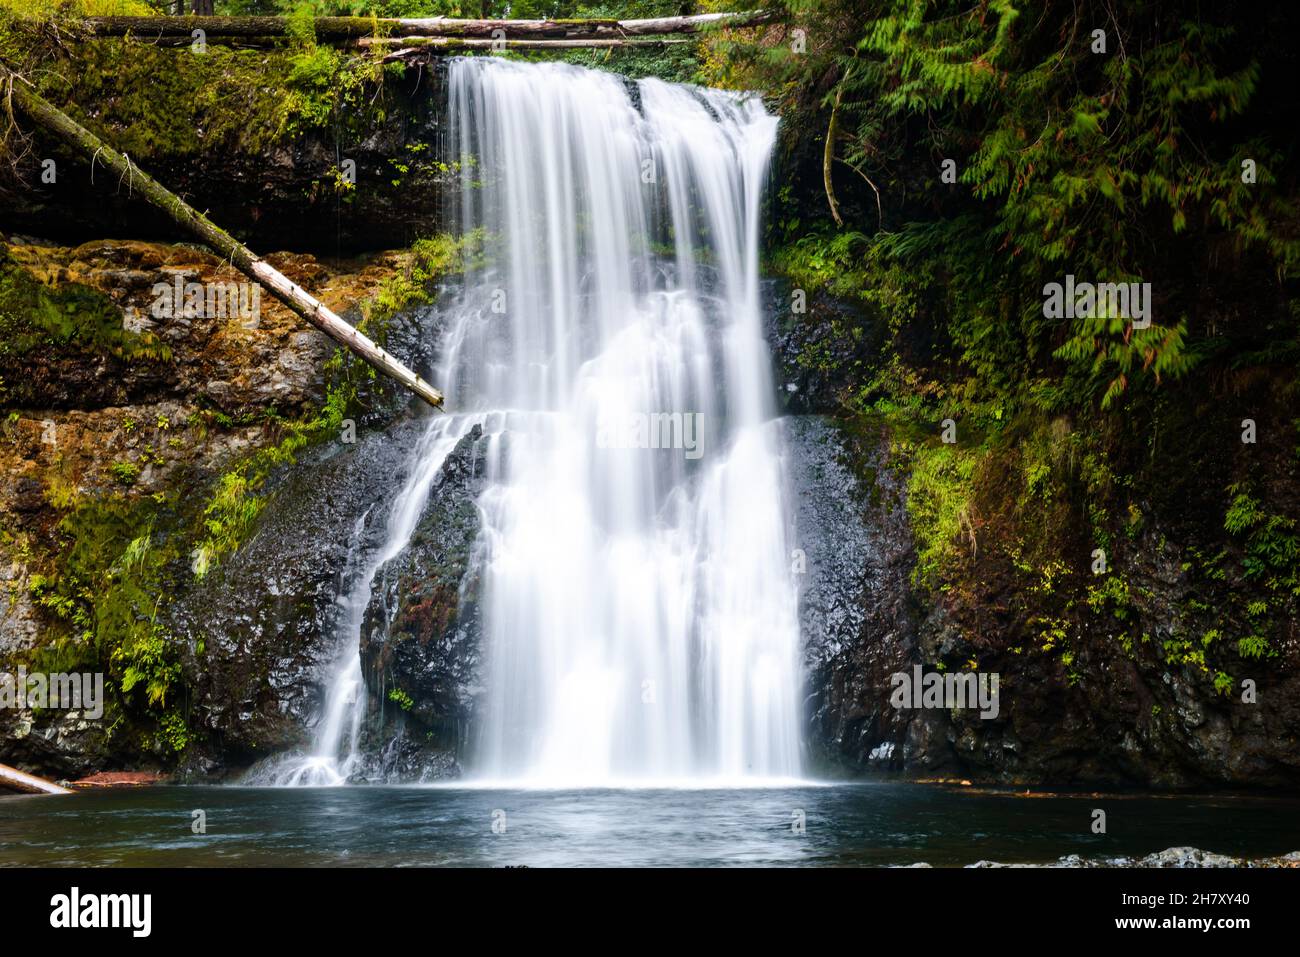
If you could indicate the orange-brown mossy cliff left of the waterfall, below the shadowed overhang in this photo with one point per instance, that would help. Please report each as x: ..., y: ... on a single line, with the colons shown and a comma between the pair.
x: 140, y: 454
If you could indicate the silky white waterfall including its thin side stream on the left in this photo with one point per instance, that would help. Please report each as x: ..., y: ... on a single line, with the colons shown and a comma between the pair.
x: 639, y: 601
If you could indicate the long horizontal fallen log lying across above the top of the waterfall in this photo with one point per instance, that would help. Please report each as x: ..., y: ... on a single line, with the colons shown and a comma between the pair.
x: 332, y: 29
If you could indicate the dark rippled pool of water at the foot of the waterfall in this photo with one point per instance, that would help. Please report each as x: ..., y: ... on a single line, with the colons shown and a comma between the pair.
x: 844, y: 825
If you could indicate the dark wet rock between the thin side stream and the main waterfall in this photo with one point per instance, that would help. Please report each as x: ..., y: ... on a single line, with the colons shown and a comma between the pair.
x: 421, y: 635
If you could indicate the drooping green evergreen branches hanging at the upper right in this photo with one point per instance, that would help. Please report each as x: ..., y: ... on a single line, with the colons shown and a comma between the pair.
x: 1115, y: 157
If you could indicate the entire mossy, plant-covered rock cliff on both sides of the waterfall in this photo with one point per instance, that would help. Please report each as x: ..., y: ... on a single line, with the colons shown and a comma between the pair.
x: 1104, y: 516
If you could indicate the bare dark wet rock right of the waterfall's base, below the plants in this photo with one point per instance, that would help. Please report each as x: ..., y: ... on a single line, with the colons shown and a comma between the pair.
x: 1113, y: 716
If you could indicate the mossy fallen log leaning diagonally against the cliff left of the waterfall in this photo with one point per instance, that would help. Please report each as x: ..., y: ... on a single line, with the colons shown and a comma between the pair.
x: 18, y: 92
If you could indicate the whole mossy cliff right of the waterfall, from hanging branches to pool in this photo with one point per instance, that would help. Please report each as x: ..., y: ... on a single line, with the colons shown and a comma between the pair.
x: 1103, y: 508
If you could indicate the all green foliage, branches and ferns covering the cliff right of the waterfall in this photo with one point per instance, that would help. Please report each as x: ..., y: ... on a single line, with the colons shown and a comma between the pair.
x: 982, y: 150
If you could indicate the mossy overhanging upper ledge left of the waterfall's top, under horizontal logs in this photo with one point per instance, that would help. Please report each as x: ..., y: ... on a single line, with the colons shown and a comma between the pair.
x: 296, y: 148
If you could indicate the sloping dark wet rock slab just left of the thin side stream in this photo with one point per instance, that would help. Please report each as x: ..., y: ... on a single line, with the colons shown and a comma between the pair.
x: 261, y: 630
